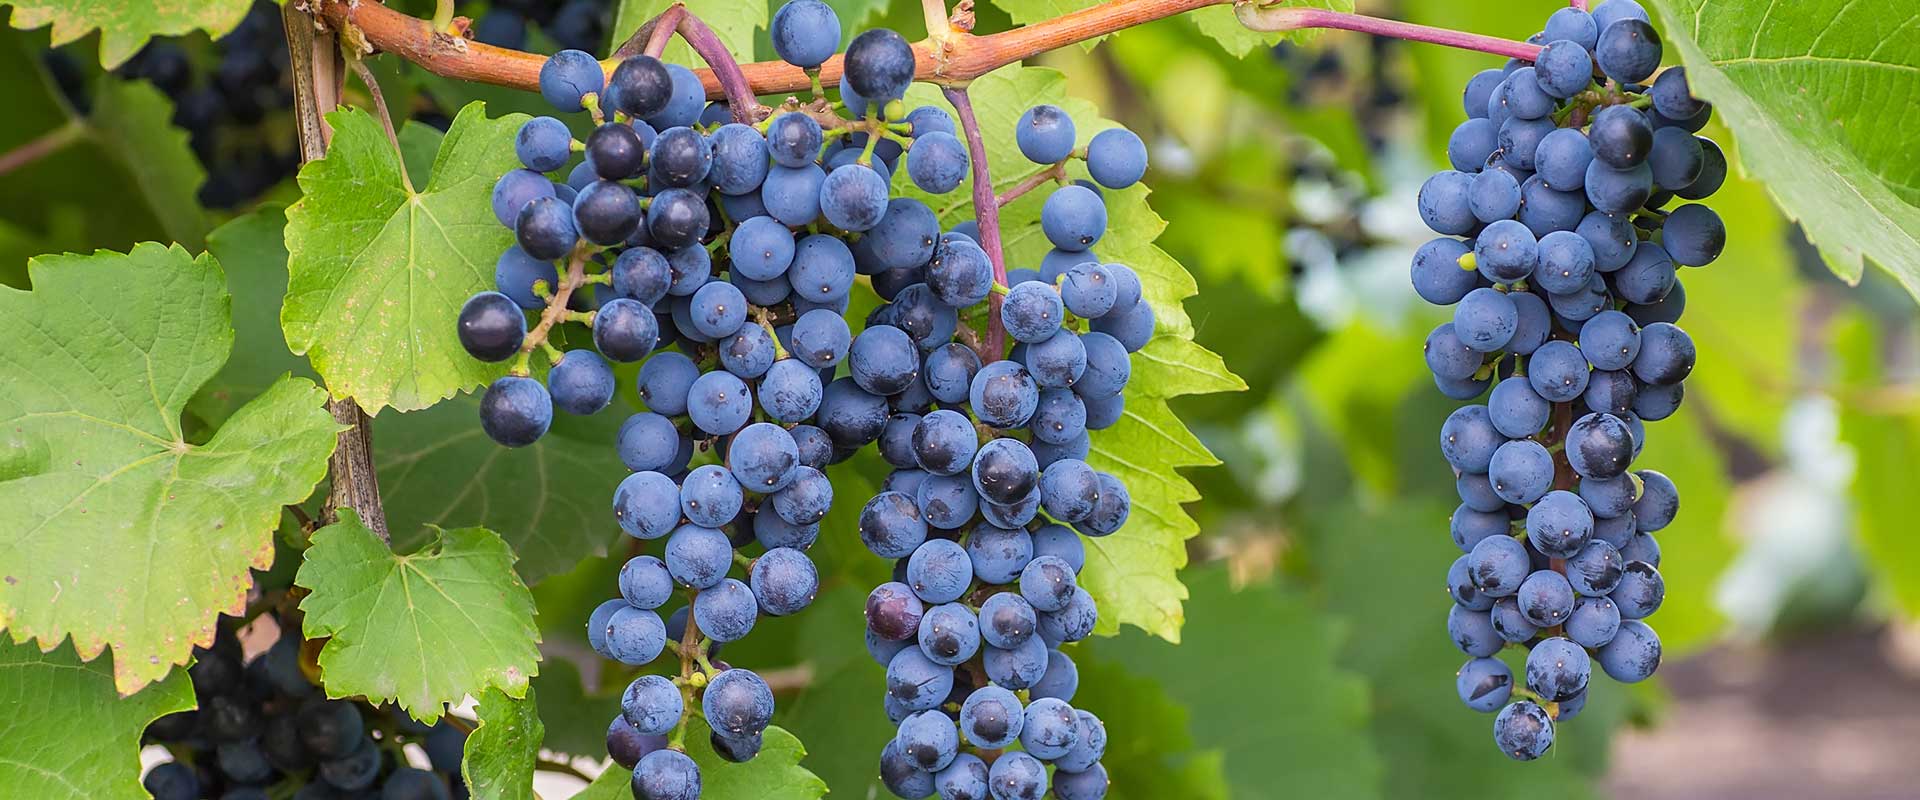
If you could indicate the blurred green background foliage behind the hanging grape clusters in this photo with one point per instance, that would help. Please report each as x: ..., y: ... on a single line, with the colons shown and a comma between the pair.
x: 1314, y: 661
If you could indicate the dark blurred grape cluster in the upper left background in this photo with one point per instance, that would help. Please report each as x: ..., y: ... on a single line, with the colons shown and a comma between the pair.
x: 229, y: 106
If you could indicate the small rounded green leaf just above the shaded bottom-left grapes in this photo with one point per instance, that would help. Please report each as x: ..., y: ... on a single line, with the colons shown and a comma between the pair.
x: 425, y: 628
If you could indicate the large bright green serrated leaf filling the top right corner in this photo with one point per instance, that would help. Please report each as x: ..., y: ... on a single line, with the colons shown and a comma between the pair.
x: 1823, y: 105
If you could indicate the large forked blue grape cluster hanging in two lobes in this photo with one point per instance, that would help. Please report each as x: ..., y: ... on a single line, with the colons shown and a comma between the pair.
x: 723, y: 256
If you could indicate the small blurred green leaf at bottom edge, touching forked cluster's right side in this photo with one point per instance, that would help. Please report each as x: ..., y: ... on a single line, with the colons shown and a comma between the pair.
x: 1151, y: 751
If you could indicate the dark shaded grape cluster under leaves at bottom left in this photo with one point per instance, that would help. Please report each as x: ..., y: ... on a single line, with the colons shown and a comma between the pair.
x: 264, y: 730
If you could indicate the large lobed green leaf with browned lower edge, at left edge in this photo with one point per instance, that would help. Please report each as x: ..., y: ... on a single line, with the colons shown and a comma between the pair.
x: 114, y: 529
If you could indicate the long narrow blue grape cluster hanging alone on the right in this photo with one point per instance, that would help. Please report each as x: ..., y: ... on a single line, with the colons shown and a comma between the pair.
x: 1566, y: 300
